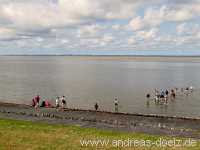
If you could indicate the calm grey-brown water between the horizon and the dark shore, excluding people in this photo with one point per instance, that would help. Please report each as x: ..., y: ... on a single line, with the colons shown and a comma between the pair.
x: 86, y: 80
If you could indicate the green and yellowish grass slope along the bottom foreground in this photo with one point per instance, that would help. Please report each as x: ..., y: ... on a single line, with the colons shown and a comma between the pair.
x: 22, y: 135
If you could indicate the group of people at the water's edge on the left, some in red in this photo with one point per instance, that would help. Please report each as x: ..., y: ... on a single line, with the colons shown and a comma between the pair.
x: 60, y: 102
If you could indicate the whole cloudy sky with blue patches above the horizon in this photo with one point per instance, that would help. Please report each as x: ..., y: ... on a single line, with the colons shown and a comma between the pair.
x: 68, y: 26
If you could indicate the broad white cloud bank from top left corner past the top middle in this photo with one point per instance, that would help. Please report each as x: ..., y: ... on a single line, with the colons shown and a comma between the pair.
x: 47, y: 14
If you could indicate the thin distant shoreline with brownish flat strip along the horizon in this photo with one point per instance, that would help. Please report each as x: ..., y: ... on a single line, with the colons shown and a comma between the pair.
x: 122, y: 58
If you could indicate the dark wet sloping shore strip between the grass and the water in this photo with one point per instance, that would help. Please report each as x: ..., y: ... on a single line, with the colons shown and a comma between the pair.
x: 140, y: 123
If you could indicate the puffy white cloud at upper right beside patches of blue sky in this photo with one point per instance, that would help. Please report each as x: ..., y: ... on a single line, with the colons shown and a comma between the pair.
x: 154, y: 17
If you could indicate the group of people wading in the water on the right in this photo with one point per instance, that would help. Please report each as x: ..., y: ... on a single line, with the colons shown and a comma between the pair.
x: 164, y: 95
